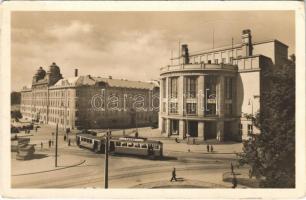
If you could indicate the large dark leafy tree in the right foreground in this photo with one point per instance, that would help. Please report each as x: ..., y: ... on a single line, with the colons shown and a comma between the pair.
x: 271, y: 154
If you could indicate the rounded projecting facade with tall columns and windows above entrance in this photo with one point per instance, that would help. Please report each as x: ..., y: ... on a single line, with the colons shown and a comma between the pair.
x: 197, y: 100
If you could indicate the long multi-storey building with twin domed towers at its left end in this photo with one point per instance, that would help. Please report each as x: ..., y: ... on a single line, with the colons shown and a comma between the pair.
x: 89, y: 102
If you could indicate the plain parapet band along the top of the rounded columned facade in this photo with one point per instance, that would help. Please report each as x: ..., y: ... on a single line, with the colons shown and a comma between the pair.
x: 198, y: 67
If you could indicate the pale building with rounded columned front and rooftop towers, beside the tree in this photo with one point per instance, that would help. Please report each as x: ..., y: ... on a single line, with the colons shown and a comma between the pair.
x: 210, y: 94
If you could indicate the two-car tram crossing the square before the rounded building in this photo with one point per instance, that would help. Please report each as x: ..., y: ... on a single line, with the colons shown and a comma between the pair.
x: 122, y: 145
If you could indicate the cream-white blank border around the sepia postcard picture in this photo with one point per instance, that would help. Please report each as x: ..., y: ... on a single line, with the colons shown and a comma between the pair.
x: 5, y: 78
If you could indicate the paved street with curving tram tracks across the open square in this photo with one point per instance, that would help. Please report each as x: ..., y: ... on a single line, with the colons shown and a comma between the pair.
x: 124, y: 172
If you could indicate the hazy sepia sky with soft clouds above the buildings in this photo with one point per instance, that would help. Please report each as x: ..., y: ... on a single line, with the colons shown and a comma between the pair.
x: 130, y: 45
